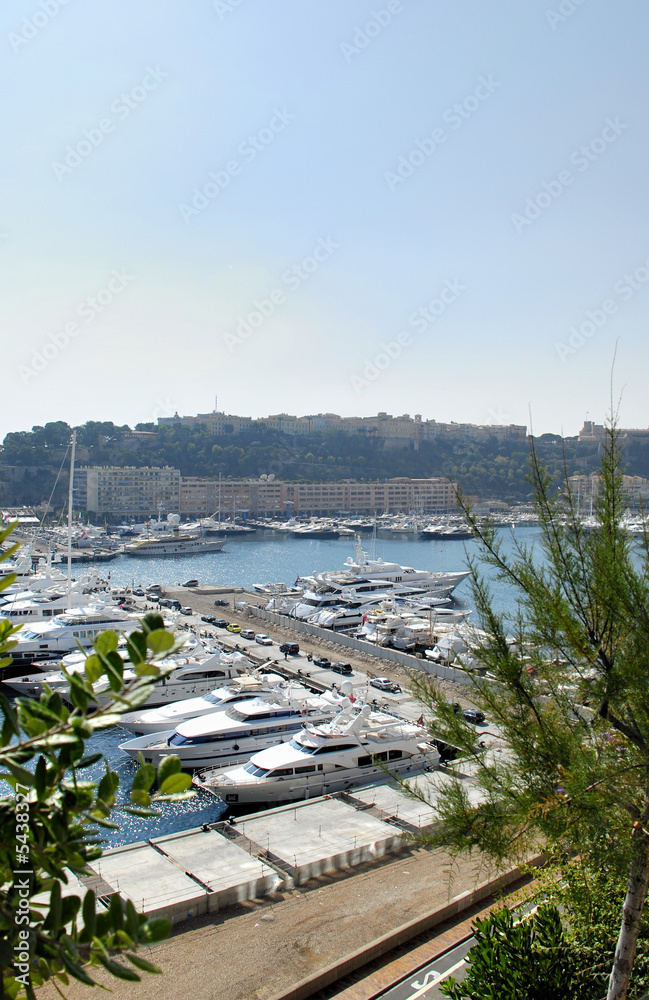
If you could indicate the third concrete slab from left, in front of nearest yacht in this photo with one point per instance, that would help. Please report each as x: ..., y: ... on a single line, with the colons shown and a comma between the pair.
x: 320, y: 836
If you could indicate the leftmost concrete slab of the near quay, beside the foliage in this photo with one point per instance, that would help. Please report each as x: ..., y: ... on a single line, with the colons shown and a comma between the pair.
x: 154, y: 884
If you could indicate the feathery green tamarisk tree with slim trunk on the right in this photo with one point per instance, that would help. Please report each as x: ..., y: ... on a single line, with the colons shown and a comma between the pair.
x: 566, y: 689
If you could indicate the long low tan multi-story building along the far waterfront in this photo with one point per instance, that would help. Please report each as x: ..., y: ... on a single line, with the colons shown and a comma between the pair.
x: 268, y: 497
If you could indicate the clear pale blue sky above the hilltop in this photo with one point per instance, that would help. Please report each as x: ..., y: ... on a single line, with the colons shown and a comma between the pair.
x: 304, y: 206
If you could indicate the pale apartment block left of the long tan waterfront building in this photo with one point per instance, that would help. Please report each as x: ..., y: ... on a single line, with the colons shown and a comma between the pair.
x: 126, y: 491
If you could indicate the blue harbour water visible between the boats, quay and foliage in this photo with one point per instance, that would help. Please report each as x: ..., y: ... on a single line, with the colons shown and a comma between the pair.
x: 243, y: 562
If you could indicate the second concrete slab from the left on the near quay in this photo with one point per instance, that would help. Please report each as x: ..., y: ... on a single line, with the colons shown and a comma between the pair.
x: 228, y: 872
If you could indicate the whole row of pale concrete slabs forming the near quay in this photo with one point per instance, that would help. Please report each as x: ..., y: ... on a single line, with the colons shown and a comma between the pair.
x: 188, y: 874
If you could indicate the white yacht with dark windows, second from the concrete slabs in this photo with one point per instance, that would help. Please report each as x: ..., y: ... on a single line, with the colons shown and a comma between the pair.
x: 231, y: 736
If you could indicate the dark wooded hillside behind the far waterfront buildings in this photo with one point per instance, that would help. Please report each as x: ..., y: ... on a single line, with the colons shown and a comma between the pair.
x: 490, y: 468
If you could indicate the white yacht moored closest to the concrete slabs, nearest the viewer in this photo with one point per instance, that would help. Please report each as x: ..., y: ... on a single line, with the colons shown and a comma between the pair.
x: 359, y: 747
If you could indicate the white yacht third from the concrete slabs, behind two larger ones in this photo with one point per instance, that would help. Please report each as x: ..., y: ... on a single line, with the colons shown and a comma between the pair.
x: 242, y: 688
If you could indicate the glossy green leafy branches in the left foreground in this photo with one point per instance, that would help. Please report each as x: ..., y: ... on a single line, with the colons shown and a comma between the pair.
x: 50, y: 825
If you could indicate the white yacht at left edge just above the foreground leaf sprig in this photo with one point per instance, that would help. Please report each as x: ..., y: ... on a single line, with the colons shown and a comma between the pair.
x: 49, y: 640
